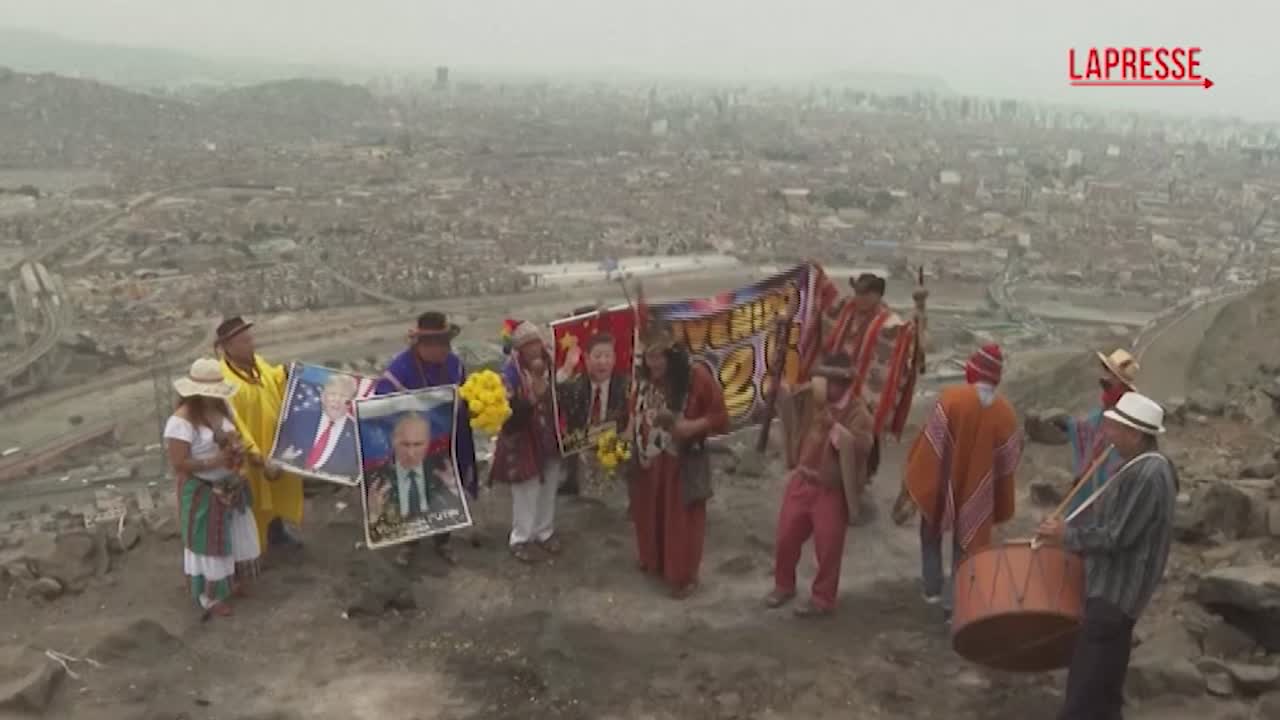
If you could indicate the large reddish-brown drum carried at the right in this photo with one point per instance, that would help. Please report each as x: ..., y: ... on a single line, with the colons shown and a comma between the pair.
x: 1018, y: 608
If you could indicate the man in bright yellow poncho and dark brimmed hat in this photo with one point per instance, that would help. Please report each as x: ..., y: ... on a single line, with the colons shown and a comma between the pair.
x: 258, y: 402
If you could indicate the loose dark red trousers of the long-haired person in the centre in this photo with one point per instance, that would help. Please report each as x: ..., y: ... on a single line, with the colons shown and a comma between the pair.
x: 669, y: 534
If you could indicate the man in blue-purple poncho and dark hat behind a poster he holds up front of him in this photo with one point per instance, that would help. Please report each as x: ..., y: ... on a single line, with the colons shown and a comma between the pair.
x: 431, y: 362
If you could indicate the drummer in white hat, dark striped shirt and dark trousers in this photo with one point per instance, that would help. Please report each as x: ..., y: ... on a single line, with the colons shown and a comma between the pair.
x: 1126, y: 546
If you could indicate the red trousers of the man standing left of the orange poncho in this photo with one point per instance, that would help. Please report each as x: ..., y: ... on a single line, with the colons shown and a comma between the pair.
x: 819, y: 511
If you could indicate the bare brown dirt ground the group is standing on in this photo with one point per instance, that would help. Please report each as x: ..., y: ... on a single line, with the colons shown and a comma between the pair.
x: 584, y: 636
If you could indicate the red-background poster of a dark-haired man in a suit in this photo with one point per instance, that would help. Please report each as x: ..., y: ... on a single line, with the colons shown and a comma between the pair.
x: 593, y: 375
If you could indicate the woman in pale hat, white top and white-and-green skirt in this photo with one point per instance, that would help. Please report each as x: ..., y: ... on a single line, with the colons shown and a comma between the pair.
x: 220, y: 535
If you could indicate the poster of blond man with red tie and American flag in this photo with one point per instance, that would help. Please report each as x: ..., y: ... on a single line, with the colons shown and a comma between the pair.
x: 317, y: 434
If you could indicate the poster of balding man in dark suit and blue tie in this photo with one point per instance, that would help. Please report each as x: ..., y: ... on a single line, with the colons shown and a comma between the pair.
x: 410, y: 486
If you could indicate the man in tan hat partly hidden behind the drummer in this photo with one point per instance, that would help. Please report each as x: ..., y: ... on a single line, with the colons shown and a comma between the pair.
x: 1117, y: 376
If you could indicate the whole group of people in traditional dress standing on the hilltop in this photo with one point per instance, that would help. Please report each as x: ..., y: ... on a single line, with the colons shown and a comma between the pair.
x: 959, y: 475
